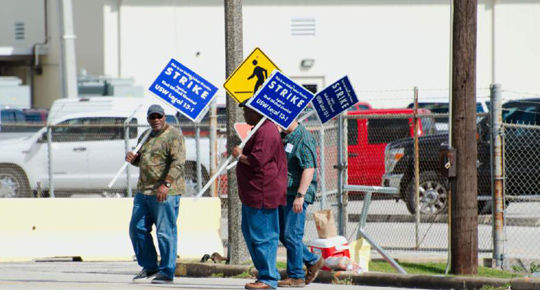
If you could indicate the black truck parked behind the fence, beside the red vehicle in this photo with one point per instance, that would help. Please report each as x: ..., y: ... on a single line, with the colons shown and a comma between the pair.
x: 522, y: 161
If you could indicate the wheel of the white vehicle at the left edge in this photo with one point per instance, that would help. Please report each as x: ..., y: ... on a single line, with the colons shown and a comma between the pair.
x: 13, y: 183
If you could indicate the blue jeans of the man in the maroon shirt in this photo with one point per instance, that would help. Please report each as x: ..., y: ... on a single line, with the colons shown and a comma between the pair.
x: 261, y: 233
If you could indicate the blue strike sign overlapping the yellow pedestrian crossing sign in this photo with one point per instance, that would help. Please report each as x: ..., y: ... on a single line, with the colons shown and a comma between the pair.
x: 280, y: 99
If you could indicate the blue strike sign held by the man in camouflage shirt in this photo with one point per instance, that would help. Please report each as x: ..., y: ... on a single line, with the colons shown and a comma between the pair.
x: 185, y: 90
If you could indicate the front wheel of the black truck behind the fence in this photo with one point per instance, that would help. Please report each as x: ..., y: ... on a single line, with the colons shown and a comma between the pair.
x: 433, y: 193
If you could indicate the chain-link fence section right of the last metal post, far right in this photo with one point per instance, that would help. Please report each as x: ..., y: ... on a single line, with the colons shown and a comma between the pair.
x: 522, y: 191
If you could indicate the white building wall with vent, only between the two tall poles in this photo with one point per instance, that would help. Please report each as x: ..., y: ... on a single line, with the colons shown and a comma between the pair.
x: 379, y: 46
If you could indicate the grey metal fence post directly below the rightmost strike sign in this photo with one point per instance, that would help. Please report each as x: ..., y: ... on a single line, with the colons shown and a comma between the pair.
x: 342, y: 201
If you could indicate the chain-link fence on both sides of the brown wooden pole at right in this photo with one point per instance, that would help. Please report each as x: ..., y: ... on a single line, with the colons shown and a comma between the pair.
x: 392, y: 221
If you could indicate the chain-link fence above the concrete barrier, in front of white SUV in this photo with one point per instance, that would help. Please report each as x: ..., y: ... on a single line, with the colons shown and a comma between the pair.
x: 83, y: 154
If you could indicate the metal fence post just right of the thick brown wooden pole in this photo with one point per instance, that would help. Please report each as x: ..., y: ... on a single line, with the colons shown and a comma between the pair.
x: 497, y: 174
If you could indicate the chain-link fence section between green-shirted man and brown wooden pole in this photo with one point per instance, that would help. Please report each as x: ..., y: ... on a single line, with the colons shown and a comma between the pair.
x: 368, y: 134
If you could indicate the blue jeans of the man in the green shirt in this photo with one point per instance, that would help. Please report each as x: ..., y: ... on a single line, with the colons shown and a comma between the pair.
x: 291, y: 235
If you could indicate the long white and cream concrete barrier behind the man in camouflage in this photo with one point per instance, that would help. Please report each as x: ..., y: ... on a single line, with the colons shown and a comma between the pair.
x: 97, y: 228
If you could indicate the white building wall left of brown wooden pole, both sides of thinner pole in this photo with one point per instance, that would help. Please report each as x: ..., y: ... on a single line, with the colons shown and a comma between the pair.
x: 380, y: 46
